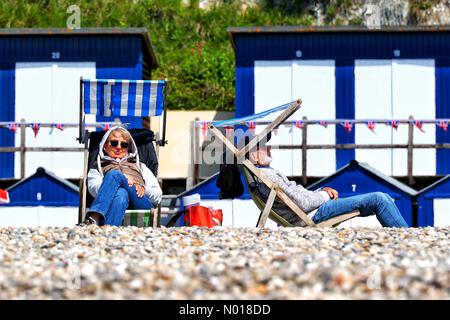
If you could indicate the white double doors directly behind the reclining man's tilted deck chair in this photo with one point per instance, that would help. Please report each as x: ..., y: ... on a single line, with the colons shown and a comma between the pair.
x: 278, y: 82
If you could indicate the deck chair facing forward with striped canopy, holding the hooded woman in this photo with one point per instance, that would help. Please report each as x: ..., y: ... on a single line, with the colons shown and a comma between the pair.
x: 138, y: 98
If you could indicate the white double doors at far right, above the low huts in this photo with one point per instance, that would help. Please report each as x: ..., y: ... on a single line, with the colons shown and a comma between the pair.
x: 395, y: 89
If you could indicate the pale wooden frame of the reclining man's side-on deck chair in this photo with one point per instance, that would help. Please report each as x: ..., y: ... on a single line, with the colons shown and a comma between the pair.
x: 275, y: 191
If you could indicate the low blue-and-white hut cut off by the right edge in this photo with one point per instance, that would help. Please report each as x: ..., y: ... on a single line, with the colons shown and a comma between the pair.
x: 433, y: 204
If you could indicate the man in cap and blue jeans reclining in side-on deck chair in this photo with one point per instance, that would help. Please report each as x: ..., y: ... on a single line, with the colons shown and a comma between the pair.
x: 322, y: 204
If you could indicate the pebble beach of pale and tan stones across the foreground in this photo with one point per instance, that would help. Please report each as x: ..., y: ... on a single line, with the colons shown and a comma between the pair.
x: 224, y: 263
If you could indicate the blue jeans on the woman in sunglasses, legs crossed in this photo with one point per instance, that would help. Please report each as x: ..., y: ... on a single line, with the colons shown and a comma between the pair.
x: 114, y: 197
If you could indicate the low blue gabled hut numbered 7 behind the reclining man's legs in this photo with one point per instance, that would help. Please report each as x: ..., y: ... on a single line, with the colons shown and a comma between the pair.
x: 358, y: 178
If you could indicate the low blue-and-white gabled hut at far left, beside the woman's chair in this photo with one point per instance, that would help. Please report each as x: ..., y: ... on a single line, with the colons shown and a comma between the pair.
x: 42, y: 199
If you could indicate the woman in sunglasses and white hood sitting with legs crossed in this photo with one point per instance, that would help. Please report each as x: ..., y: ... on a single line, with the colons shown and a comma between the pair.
x: 119, y: 180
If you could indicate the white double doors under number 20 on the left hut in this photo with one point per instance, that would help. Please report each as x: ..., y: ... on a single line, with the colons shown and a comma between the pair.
x: 48, y: 92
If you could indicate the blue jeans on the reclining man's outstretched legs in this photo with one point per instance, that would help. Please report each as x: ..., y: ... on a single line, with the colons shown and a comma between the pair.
x: 377, y: 203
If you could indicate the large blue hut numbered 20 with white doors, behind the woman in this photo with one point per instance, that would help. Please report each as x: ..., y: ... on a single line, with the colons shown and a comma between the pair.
x: 40, y: 72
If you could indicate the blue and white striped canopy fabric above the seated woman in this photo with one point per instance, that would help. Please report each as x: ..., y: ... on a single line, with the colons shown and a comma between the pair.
x: 138, y: 98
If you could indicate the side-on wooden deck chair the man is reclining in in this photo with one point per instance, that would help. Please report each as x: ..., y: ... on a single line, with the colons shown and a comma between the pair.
x: 253, y: 176
